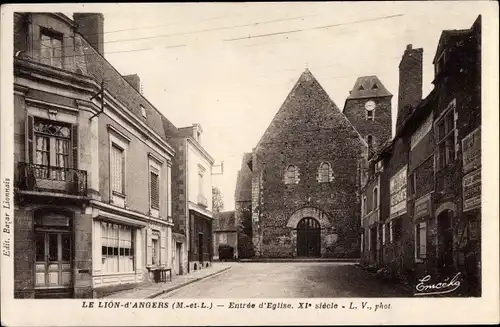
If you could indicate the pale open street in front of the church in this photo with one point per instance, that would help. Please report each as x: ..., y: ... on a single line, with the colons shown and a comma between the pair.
x: 290, y: 280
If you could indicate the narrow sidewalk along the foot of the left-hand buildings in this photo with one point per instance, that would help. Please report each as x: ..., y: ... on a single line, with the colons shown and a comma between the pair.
x: 152, y: 290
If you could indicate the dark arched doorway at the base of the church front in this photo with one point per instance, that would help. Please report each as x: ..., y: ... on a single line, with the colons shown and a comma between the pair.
x: 308, y: 238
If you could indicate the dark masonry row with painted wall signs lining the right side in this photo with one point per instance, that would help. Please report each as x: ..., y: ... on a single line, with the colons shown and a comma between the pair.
x: 430, y: 173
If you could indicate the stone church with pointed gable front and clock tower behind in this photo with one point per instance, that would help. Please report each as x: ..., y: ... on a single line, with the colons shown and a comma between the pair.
x: 306, y: 170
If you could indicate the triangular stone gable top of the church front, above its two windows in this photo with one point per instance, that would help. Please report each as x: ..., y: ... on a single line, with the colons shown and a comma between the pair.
x: 307, y: 111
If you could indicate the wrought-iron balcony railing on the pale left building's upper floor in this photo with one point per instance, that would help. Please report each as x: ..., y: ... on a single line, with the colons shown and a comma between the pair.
x: 40, y: 178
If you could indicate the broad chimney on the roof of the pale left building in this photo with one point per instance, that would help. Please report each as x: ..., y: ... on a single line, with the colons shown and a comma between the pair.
x: 91, y: 26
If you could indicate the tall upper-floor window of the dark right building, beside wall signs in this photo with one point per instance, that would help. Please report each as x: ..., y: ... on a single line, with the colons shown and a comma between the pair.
x: 445, y: 130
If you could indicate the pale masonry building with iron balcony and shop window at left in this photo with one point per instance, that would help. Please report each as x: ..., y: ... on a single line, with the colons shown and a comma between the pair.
x: 93, y: 200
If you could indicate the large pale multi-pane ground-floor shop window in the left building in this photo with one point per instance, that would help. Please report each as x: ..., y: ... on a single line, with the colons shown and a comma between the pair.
x: 117, y: 248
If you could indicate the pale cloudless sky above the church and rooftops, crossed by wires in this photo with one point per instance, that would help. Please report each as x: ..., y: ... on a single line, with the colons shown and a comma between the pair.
x: 230, y: 66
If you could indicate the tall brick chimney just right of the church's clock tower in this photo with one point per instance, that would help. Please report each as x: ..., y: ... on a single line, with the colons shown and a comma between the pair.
x: 410, y: 83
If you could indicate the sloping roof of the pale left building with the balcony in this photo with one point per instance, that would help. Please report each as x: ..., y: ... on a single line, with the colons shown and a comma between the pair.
x: 99, y: 68
